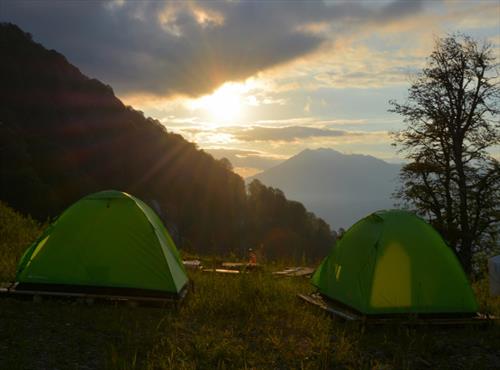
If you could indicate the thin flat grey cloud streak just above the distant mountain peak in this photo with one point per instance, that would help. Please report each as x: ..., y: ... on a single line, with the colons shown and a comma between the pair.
x: 288, y: 133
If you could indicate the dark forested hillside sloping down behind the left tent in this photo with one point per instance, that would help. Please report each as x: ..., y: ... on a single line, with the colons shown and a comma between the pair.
x: 64, y: 135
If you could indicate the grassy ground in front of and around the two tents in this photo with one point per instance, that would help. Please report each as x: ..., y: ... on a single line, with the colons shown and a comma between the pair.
x: 252, y: 321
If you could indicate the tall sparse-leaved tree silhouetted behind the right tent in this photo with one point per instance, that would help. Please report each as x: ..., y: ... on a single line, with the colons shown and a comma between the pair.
x: 451, y: 124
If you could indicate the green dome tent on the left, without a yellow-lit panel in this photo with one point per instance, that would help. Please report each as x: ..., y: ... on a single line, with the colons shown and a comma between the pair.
x: 108, y: 242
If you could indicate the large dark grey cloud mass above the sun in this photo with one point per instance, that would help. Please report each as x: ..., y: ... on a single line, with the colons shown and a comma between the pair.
x: 168, y: 48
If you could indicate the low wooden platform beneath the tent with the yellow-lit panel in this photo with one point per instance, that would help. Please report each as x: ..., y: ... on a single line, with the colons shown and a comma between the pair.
x: 342, y: 313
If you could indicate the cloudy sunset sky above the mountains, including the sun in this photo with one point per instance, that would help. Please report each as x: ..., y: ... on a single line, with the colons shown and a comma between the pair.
x: 259, y: 81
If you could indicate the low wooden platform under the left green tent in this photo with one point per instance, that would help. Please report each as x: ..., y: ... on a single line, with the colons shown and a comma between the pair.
x: 9, y: 290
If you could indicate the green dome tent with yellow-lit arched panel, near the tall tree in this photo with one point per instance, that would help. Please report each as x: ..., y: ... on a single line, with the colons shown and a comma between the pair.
x: 394, y: 262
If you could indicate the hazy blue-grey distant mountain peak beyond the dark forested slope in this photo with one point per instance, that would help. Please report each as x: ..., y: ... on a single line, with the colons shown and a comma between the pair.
x: 341, y: 188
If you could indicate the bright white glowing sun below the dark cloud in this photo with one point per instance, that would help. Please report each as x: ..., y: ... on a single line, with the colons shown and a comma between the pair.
x: 224, y: 105
